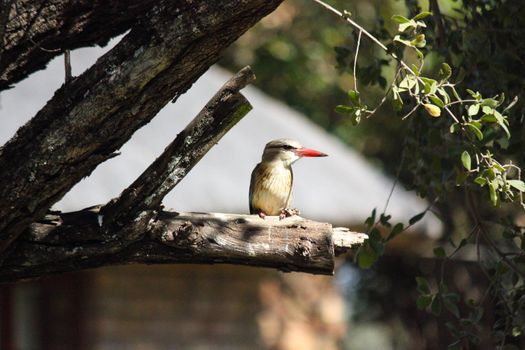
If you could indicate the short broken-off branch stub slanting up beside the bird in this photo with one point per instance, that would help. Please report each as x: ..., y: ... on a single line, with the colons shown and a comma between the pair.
x: 219, y: 115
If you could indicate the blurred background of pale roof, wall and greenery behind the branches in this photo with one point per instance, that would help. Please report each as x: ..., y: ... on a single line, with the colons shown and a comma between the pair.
x: 302, y: 57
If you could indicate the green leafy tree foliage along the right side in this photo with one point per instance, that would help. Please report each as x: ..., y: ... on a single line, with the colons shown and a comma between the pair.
x: 451, y: 79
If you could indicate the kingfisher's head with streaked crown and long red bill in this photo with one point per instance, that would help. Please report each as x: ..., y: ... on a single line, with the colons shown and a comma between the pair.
x: 287, y: 151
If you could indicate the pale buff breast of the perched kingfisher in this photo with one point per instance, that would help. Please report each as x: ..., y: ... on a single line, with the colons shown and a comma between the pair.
x: 272, y: 189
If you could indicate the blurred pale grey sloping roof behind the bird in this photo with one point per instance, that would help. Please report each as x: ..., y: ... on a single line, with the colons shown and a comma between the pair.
x: 342, y: 188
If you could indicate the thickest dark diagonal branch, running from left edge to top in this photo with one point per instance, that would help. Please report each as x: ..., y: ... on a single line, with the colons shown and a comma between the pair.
x: 96, y: 113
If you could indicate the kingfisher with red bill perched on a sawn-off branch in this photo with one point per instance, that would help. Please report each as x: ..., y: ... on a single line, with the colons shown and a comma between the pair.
x: 272, y: 179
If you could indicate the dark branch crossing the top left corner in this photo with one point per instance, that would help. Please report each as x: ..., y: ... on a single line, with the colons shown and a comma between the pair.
x: 36, y: 30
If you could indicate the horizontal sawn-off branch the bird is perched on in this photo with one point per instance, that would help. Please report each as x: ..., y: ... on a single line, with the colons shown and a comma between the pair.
x: 75, y: 241
